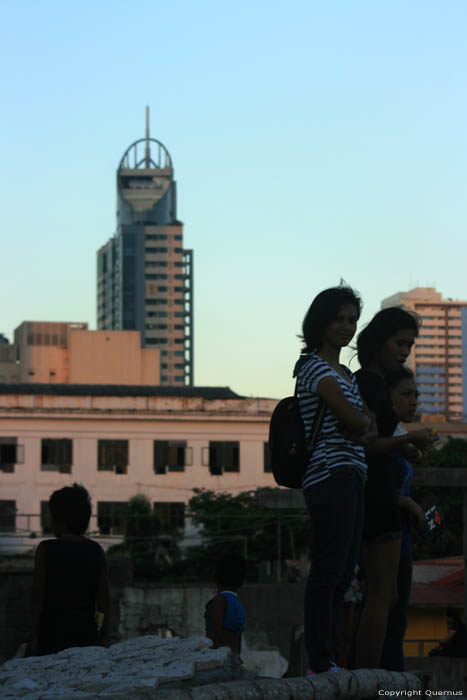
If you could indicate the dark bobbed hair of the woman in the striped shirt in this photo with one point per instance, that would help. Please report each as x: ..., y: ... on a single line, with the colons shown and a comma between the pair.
x: 323, y: 310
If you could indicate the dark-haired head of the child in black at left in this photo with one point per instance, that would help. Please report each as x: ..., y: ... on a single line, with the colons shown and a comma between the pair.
x: 70, y: 509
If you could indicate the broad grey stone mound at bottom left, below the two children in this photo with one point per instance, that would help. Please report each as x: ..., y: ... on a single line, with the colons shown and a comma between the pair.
x: 139, y: 665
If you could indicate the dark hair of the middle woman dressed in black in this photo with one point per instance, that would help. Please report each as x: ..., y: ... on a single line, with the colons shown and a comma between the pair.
x: 382, y: 326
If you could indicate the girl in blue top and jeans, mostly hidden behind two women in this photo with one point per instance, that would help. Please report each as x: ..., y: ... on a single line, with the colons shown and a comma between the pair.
x: 404, y: 396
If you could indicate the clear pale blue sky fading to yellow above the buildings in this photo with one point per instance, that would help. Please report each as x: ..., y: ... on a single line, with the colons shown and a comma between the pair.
x: 311, y: 142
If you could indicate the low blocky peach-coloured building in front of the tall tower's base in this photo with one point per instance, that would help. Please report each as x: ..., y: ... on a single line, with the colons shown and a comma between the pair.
x: 69, y: 353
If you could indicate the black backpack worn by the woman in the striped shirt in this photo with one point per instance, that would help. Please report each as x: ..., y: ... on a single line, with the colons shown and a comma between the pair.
x: 290, y: 450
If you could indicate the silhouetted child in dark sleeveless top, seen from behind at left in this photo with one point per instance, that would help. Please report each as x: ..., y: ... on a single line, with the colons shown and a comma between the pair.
x: 70, y: 587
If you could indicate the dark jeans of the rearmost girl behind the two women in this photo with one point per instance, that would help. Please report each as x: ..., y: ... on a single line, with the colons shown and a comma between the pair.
x: 393, y: 653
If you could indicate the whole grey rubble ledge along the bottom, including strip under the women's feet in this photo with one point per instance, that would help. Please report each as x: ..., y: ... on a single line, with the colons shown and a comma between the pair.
x: 174, y: 669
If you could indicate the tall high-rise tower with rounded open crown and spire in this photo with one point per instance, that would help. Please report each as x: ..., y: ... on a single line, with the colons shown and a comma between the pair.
x: 144, y: 275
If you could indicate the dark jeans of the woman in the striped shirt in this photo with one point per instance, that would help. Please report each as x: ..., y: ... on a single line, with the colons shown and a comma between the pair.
x: 336, y: 513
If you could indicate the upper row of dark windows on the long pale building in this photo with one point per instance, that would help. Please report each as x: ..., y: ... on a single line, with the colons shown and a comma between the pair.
x: 112, y: 455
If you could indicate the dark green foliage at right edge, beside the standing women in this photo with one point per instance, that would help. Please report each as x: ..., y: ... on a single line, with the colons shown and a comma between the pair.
x: 451, y: 501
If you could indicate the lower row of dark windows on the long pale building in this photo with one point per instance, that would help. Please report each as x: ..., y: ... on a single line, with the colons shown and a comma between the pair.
x: 111, y: 517
